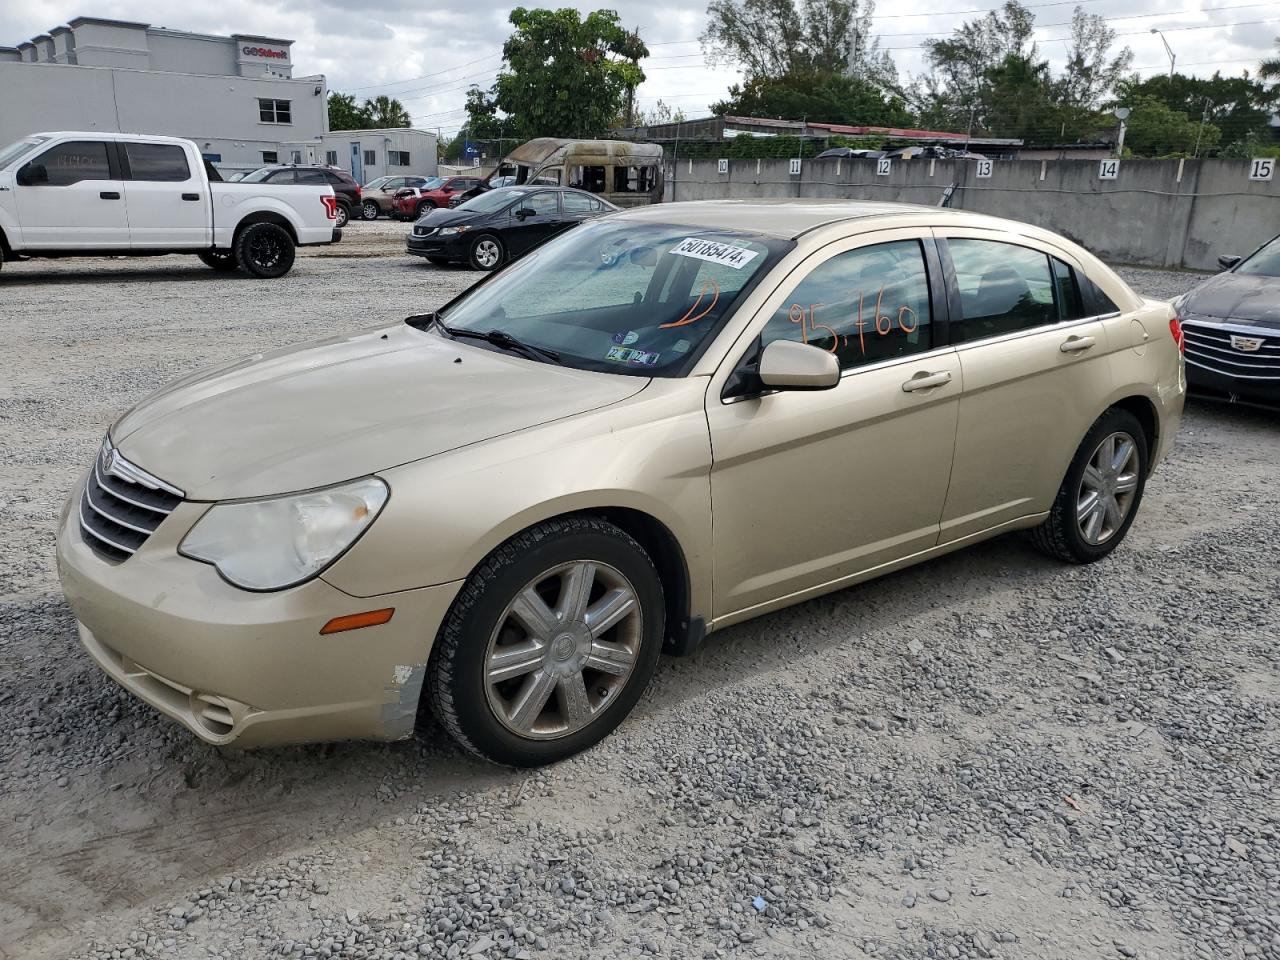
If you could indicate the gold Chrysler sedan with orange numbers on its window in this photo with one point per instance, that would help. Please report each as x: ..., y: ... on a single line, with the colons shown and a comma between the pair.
x: 662, y: 423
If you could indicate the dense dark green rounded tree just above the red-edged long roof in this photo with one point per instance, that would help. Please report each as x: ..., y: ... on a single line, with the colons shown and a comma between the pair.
x: 824, y: 98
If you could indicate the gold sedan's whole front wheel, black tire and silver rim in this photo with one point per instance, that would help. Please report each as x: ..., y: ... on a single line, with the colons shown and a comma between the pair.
x: 550, y: 644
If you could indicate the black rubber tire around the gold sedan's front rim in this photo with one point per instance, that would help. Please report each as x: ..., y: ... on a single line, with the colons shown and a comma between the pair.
x: 456, y: 671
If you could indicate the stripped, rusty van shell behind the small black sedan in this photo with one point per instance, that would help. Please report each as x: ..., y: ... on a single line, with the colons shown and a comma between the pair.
x: 620, y: 172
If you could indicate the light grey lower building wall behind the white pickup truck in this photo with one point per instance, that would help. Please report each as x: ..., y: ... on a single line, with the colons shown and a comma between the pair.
x: 221, y: 112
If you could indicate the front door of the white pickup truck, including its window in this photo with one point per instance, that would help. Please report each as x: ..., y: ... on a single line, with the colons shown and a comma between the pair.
x: 71, y: 196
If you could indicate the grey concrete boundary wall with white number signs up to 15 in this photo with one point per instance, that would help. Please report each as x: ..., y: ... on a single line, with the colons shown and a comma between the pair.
x: 1159, y: 213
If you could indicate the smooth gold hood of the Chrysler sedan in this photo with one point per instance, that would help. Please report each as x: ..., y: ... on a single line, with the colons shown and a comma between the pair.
x: 324, y: 413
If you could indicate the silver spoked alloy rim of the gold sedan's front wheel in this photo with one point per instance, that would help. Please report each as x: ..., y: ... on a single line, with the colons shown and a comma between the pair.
x: 564, y: 650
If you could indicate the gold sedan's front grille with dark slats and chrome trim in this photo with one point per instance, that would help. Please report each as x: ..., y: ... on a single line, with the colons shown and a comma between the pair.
x: 122, y: 506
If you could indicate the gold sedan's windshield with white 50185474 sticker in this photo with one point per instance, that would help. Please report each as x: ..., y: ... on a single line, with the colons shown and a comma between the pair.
x: 619, y: 296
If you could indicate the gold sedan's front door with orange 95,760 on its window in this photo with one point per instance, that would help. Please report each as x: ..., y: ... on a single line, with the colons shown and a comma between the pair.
x: 812, y: 490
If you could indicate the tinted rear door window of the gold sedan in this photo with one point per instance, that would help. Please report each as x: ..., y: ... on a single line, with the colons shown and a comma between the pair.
x: 1004, y: 289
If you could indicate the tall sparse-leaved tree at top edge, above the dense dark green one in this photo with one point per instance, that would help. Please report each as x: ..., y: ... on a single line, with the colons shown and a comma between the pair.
x: 771, y: 39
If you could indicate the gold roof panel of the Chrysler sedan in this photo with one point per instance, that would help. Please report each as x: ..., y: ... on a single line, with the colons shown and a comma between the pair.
x: 788, y: 220
